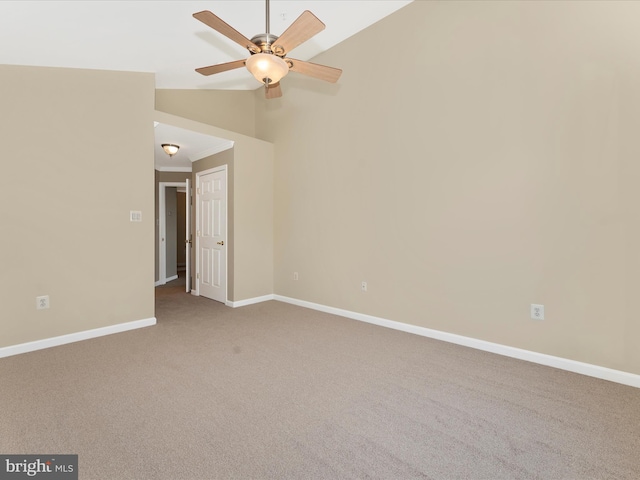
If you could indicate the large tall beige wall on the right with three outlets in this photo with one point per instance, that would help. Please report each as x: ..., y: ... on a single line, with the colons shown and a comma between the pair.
x: 482, y: 159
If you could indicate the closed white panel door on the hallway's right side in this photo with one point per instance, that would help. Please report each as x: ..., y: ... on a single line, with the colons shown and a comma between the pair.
x: 212, y: 235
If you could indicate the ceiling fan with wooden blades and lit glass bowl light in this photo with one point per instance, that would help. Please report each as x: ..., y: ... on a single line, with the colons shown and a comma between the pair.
x: 268, y: 61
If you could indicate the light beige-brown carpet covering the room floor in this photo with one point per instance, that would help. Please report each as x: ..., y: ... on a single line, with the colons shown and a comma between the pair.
x: 276, y: 391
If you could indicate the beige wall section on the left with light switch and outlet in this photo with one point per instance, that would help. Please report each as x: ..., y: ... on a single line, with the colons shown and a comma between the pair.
x: 67, y: 235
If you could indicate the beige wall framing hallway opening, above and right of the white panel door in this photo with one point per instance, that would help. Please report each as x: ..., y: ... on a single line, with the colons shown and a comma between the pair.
x: 251, y: 161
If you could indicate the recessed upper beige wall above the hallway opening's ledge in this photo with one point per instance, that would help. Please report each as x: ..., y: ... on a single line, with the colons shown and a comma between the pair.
x: 229, y: 109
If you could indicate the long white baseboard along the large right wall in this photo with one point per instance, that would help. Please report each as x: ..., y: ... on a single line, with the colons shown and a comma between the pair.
x: 588, y: 369
